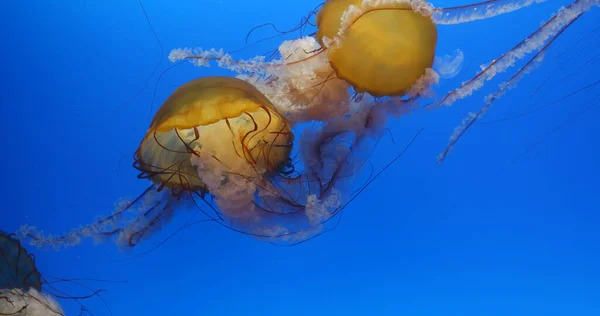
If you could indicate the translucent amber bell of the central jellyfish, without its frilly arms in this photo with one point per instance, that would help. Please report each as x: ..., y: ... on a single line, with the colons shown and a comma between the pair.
x: 222, y: 117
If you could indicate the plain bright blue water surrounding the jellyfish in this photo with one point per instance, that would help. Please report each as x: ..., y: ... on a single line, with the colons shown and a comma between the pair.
x: 508, y: 225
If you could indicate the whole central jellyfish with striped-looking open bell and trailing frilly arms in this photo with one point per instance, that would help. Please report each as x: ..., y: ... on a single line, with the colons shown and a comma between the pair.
x: 217, y: 145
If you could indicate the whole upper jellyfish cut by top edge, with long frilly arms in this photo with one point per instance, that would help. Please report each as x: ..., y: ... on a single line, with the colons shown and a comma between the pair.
x: 384, y: 50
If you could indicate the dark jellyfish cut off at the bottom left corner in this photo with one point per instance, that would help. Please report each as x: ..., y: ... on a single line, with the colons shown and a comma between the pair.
x: 23, y: 289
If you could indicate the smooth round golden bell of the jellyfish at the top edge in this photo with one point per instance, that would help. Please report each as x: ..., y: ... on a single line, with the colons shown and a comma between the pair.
x: 380, y: 49
